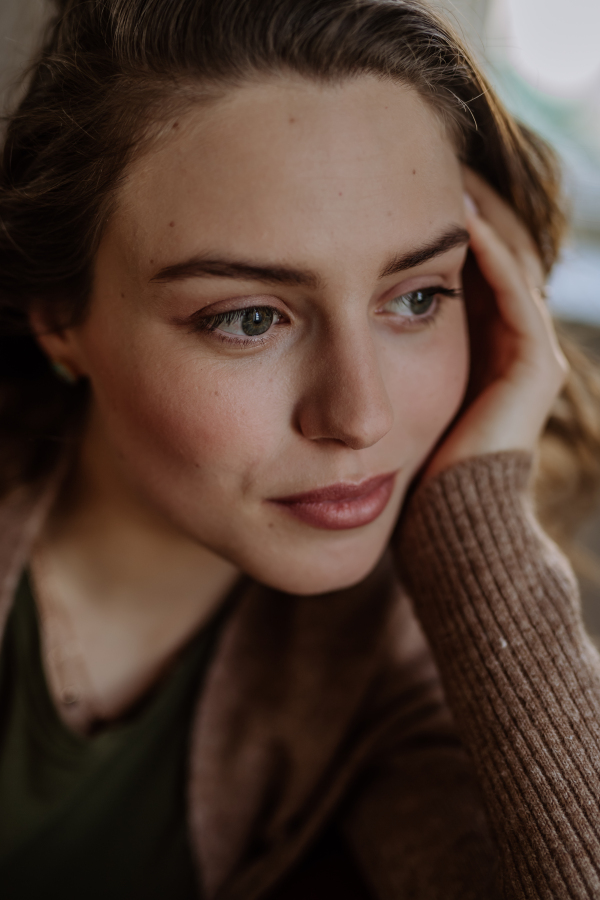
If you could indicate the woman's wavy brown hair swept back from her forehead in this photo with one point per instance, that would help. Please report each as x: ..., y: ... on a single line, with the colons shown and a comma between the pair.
x: 111, y: 71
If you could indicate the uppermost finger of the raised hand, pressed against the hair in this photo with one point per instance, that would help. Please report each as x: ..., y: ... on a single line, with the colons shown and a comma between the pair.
x: 508, y: 225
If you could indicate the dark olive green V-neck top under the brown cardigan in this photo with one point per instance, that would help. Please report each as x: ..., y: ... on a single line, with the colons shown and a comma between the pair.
x: 102, y: 816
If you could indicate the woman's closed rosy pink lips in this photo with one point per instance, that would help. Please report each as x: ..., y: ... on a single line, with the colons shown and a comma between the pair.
x: 341, y: 506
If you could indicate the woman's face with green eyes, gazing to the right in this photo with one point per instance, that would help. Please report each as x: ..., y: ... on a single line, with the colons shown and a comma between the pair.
x: 262, y: 324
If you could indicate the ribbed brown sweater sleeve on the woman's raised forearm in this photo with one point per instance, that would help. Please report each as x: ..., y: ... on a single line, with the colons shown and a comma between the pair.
x: 499, y: 605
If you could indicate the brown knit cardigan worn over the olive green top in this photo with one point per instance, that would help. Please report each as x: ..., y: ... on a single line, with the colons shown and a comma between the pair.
x: 332, y: 707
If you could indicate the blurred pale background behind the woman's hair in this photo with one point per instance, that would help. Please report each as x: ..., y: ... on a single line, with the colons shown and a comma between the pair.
x: 543, y: 56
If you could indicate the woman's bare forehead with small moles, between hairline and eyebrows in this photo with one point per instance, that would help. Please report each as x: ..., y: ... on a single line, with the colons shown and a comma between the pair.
x: 294, y: 167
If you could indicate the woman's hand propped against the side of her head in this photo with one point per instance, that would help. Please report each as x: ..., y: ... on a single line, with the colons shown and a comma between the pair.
x: 525, y: 368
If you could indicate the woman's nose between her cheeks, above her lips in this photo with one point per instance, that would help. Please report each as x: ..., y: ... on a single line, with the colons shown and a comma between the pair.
x: 346, y: 398
